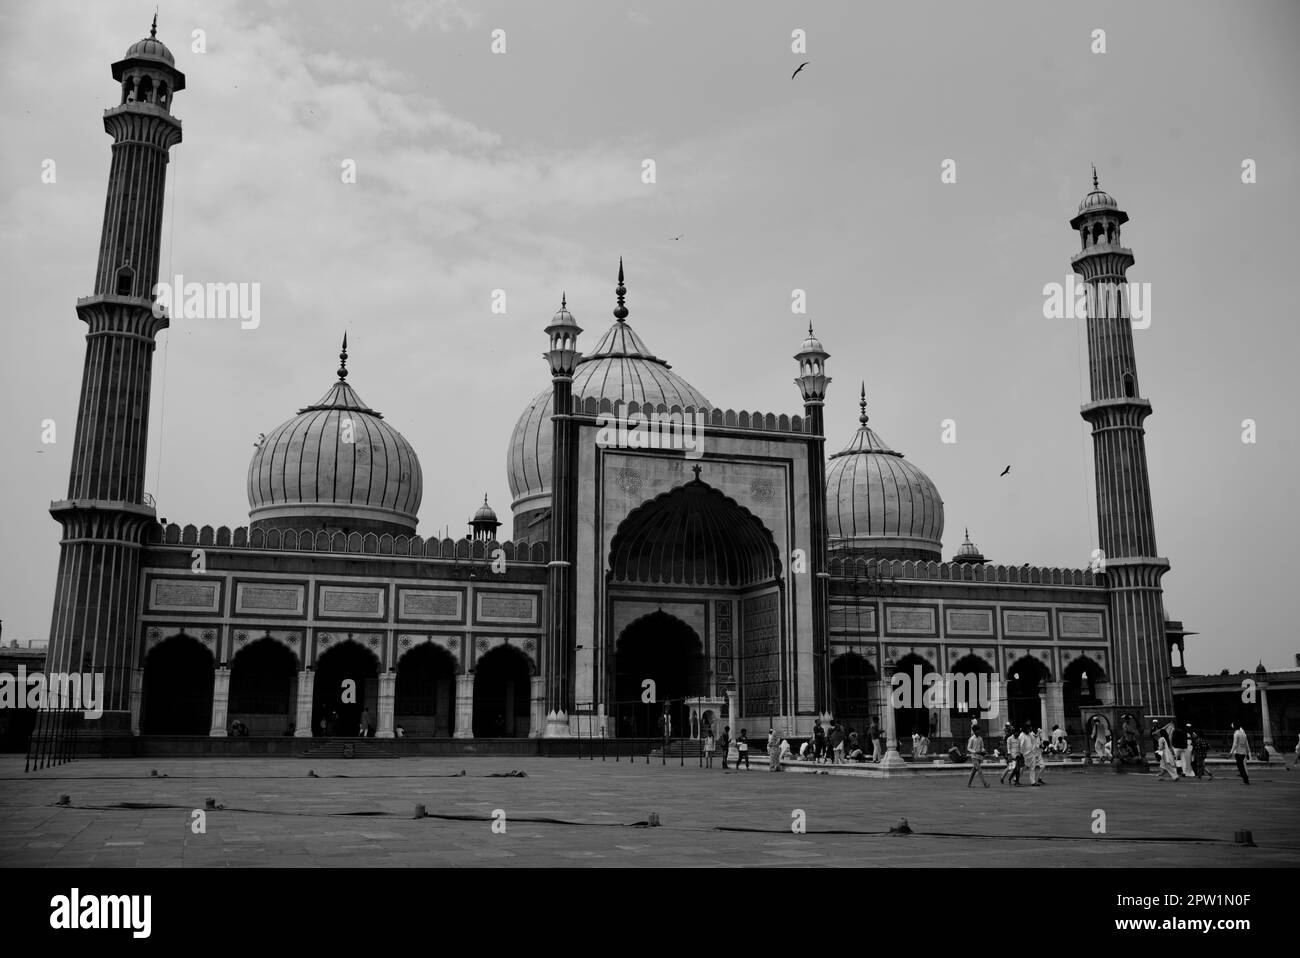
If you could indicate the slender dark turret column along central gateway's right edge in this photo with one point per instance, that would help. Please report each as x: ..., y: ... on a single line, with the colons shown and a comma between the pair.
x: 813, y: 383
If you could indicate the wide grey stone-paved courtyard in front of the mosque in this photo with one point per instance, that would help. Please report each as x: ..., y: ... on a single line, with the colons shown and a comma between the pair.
x: 361, y: 813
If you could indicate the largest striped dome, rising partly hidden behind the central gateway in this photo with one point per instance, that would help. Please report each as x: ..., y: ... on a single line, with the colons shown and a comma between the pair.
x: 621, y: 369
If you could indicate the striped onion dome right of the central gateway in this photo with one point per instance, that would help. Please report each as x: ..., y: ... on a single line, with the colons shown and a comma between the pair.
x: 878, y: 504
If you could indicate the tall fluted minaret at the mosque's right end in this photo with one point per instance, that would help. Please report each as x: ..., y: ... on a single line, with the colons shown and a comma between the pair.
x: 1141, y: 661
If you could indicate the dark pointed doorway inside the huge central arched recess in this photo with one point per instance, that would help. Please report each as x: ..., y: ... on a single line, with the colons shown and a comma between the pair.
x: 666, y: 651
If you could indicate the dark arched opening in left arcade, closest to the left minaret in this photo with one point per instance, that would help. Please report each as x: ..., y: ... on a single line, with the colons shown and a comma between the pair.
x: 177, y: 691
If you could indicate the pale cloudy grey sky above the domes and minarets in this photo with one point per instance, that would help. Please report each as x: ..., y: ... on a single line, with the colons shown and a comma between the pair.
x: 522, y: 171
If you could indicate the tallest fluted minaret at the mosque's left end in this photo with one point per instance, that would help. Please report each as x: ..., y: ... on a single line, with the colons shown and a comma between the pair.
x: 97, y: 618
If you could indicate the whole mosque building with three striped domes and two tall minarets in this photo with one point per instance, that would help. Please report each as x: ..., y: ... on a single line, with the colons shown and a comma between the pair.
x: 752, y: 580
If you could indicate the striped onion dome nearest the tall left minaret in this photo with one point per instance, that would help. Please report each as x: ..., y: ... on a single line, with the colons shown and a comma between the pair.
x: 336, y: 466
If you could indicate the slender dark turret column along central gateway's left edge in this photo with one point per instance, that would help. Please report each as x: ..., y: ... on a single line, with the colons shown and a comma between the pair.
x: 561, y: 596
